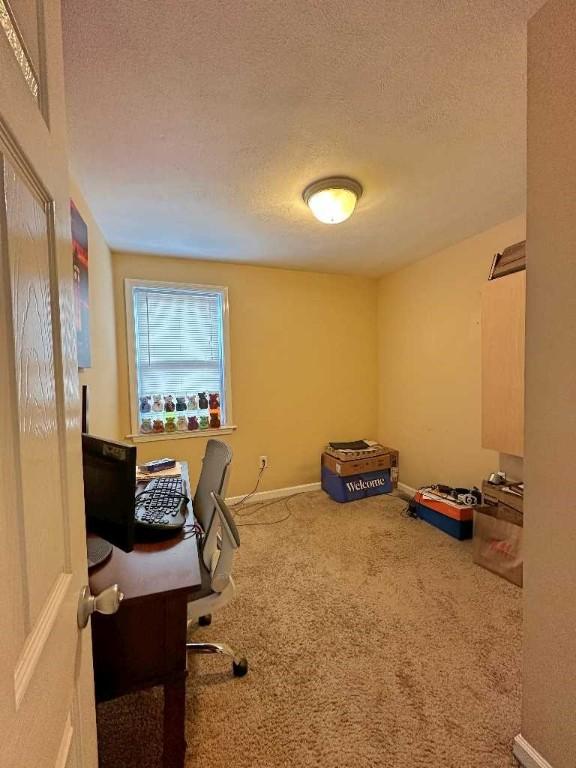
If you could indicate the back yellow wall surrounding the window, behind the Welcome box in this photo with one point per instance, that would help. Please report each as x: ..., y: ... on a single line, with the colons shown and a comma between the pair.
x: 303, y: 365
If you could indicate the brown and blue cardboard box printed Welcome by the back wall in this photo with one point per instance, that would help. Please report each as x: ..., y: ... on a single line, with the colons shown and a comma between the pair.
x: 352, y: 476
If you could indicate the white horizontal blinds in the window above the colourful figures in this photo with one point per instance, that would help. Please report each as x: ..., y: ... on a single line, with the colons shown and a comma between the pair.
x: 179, y: 341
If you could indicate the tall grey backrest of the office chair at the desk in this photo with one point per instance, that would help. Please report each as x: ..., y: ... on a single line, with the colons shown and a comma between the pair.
x: 213, y: 479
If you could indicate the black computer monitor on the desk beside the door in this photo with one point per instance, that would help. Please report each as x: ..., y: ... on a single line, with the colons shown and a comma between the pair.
x: 109, y: 489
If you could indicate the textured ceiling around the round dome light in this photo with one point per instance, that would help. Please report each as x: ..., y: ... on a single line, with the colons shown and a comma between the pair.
x: 196, y: 124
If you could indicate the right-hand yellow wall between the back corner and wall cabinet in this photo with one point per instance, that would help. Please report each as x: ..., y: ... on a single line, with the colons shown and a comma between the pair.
x: 429, y: 361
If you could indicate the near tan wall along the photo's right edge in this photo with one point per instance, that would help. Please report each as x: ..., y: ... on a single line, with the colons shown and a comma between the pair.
x: 549, y: 663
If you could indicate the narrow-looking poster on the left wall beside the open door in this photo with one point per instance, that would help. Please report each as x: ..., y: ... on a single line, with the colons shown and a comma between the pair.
x: 81, y: 298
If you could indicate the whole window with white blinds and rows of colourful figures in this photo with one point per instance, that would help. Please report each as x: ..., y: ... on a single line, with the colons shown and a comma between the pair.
x: 179, y: 367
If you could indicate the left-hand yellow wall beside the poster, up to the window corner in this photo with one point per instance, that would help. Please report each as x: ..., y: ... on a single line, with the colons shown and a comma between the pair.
x: 102, y: 376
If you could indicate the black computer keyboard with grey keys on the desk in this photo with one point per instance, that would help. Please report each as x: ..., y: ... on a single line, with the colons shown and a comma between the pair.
x: 161, y: 505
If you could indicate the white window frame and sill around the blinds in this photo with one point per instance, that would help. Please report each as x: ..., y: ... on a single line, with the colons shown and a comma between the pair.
x: 136, y: 435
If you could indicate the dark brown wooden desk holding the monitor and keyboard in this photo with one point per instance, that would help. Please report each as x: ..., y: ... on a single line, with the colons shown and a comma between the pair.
x: 144, y: 644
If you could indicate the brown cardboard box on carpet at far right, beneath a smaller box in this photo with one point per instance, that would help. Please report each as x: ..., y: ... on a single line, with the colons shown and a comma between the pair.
x: 497, y: 543
